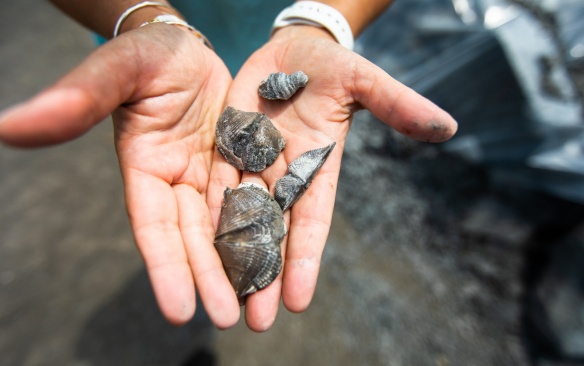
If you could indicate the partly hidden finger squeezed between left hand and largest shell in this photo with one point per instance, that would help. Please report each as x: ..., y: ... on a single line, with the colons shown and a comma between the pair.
x: 222, y: 175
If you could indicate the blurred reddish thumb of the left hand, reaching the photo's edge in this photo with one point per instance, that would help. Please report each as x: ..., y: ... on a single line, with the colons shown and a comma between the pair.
x: 82, y: 98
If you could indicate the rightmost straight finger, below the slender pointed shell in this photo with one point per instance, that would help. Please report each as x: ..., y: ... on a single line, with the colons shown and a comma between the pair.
x: 310, y: 222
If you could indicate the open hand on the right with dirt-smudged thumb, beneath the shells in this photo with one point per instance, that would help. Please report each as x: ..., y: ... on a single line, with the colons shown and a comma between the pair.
x: 341, y: 82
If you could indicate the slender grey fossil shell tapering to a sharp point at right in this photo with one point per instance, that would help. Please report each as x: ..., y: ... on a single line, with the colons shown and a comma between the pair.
x: 301, y: 172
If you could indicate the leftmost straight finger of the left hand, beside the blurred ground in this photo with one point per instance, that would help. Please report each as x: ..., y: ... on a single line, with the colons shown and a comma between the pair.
x: 153, y: 213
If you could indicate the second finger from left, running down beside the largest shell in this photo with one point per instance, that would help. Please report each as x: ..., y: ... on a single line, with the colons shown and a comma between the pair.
x: 211, y: 281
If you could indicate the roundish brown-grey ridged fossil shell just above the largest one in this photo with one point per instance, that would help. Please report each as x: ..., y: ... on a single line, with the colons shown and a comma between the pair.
x: 248, y: 140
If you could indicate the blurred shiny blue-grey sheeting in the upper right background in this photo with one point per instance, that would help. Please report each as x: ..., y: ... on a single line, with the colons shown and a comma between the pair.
x: 510, y: 72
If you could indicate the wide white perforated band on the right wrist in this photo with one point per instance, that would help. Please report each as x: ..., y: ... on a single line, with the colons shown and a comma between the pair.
x: 319, y: 15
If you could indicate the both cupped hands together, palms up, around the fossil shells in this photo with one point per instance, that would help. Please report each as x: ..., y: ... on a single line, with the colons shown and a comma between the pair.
x: 165, y: 91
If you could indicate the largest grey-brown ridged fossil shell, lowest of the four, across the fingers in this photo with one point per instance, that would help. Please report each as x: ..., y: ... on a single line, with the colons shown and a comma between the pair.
x: 251, y: 227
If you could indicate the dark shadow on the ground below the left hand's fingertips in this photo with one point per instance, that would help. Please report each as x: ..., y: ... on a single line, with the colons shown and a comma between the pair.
x: 129, y: 330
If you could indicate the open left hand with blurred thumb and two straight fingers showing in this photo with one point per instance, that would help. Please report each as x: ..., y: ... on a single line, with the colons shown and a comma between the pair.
x: 166, y: 91
